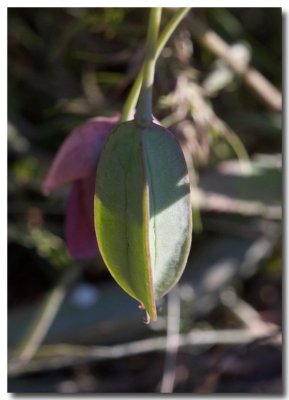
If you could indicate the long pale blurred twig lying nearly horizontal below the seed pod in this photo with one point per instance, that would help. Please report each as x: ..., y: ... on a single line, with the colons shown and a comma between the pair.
x: 50, y: 357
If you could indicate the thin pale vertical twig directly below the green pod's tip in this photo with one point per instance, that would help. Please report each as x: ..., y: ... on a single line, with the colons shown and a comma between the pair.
x: 172, y: 343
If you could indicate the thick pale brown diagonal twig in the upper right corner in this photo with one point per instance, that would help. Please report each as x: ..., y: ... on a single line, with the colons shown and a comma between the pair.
x: 270, y: 95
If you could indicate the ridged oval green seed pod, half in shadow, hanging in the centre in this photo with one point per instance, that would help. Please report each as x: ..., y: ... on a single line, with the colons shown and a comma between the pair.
x: 143, y: 218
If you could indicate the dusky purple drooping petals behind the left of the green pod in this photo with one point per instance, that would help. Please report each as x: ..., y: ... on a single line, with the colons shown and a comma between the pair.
x: 76, y: 161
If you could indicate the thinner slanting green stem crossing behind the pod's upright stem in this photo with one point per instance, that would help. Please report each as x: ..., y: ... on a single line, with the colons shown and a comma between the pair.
x: 130, y: 104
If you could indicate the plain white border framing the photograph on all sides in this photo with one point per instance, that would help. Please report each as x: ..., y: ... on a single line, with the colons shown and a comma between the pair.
x: 3, y: 145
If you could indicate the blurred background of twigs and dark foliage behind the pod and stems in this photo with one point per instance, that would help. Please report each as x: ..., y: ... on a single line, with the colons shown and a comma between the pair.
x: 71, y: 329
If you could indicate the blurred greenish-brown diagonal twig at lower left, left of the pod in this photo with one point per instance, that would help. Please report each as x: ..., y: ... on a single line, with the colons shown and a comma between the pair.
x: 43, y: 320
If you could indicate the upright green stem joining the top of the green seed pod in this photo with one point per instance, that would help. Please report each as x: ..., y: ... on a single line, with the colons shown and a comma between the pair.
x: 144, y: 113
